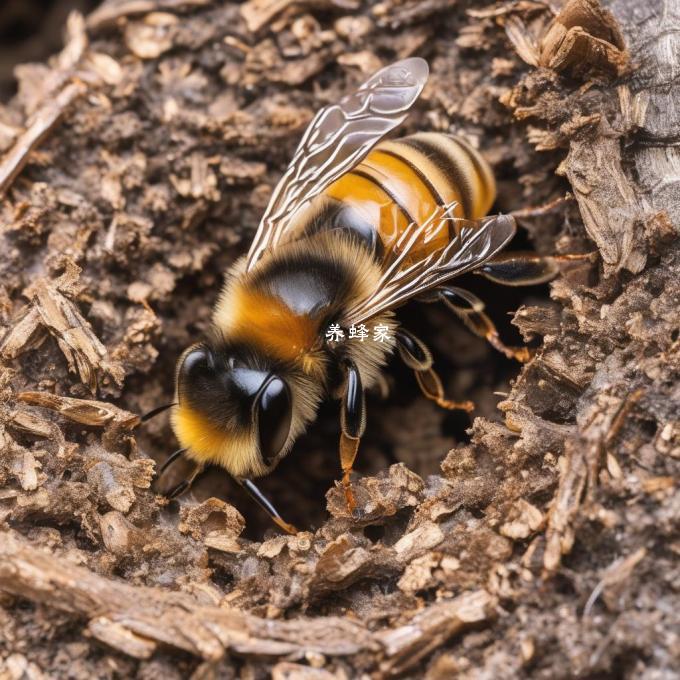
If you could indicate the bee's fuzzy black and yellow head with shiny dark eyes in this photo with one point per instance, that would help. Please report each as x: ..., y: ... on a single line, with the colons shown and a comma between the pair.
x: 232, y: 409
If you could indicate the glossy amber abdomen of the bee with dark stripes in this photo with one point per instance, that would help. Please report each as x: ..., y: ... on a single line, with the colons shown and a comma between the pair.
x: 410, y: 179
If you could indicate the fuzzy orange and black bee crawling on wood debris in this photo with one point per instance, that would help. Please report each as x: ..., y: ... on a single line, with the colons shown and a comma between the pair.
x: 357, y: 226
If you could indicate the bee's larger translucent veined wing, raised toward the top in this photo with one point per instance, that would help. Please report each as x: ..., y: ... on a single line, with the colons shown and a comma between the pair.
x: 337, y: 139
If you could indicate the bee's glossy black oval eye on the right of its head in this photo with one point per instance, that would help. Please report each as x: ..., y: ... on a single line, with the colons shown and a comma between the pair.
x: 273, y: 417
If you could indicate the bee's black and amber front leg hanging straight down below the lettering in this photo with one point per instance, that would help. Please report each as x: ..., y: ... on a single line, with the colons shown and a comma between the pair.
x: 352, y: 425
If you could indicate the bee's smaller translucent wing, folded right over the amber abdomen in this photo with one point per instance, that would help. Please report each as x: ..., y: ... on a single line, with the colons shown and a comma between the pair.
x: 405, y: 276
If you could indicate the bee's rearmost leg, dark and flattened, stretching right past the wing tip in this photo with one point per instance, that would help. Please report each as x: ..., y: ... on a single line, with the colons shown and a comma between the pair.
x: 526, y: 269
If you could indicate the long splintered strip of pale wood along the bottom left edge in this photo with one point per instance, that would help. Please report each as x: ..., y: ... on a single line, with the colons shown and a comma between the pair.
x: 135, y: 620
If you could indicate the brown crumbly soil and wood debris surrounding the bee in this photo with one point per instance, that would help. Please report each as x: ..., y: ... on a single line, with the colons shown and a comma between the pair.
x: 538, y: 538
